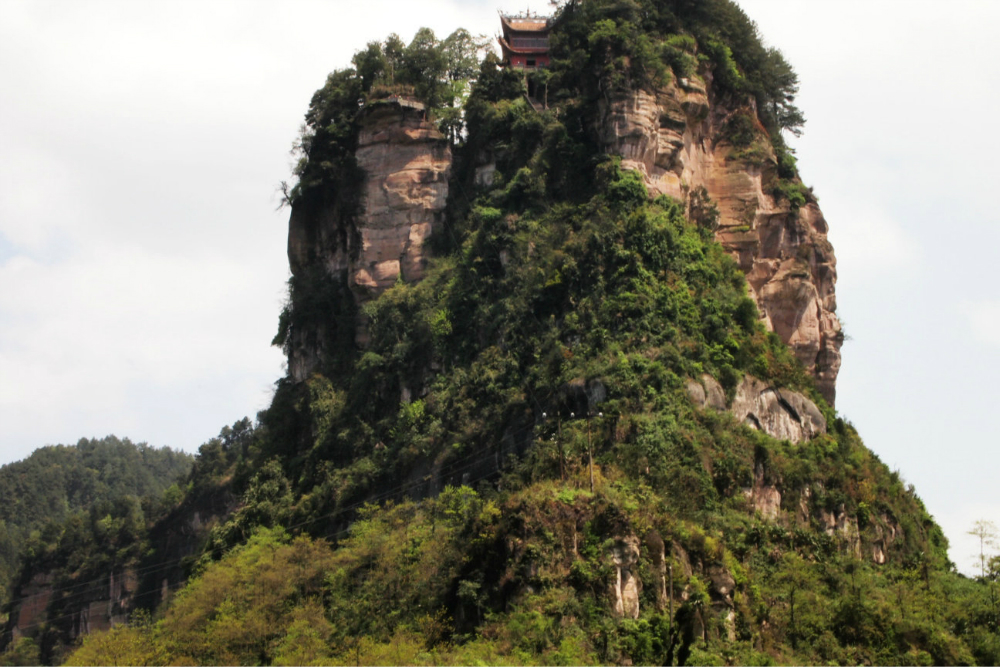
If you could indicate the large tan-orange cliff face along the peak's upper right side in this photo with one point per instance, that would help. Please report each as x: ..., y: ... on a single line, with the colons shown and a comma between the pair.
x: 674, y: 137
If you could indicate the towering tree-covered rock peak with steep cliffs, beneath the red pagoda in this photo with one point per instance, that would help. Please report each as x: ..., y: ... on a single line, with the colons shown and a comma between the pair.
x: 534, y: 411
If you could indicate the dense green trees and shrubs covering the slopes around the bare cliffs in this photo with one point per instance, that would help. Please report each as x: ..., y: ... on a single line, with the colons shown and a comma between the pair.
x: 511, y: 470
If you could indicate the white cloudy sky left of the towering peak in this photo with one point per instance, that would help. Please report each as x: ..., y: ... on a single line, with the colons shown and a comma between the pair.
x: 142, y: 264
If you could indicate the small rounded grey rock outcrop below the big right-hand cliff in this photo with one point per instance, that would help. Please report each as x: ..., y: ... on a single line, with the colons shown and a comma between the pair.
x: 781, y: 413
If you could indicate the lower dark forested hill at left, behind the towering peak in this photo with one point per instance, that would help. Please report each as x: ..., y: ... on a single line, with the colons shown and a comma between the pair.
x: 88, y: 555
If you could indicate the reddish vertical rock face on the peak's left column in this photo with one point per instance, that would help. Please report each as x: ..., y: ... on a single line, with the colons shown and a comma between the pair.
x: 406, y: 163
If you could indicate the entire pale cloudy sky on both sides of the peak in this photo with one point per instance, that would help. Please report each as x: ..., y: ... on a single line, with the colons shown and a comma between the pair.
x: 142, y: 252
